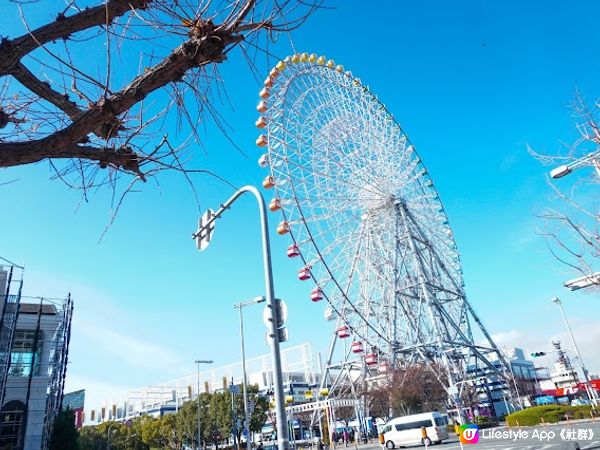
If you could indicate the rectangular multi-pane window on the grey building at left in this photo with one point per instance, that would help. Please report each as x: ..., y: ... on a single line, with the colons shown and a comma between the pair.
x: 25, y: 353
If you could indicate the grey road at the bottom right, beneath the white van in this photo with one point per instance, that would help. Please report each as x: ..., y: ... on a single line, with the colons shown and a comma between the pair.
x: 526, y: 438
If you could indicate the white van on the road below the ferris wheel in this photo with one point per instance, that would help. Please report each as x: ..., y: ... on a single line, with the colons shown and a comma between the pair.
x: 407, y: 430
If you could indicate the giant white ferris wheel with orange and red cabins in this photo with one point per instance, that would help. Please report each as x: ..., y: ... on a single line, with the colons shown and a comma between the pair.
x: 365, y: 220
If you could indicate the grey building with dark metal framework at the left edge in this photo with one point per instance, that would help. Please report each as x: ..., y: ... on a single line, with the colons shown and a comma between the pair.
x: 34, y: 337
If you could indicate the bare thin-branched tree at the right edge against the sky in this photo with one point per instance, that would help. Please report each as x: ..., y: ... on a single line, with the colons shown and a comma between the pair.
x: 572, y: 227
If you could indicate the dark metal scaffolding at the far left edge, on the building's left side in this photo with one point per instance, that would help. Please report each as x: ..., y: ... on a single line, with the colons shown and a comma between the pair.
x: 11, y: 284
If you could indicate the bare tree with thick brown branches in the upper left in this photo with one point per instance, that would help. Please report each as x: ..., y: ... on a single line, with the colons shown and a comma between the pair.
x: 71, y: 94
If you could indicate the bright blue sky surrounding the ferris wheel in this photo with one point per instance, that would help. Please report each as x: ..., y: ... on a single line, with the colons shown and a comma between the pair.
x: 472, y: 83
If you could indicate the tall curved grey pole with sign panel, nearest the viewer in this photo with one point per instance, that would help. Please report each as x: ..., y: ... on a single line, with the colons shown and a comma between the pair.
x: 203, y: 236
